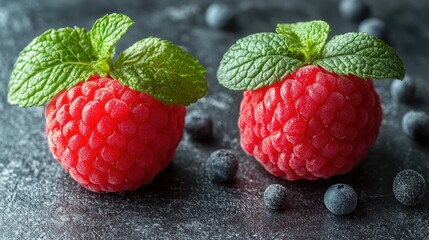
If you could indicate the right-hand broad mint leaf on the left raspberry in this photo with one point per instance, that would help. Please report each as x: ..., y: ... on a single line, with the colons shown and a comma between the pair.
x: 163, y: 70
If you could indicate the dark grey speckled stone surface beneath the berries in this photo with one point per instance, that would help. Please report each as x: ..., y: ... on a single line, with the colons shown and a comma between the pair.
x: 38, y: 199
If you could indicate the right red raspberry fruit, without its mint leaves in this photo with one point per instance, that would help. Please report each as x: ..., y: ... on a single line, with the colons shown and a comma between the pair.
x: 313, y: 124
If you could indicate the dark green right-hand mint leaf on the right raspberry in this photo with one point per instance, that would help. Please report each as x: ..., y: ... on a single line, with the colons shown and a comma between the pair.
x: 362, y: 55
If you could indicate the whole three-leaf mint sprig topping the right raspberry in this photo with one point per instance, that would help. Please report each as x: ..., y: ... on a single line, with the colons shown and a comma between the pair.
x: 261, y: 59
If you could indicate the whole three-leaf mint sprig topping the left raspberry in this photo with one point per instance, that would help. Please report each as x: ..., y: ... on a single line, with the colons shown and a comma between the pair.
x: 59, y: 59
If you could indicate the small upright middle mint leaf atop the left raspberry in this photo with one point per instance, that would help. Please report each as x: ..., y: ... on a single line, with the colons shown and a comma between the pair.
x: 106, y: 32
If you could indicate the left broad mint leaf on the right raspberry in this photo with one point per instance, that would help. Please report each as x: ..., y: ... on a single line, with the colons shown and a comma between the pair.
x: 255, y: 61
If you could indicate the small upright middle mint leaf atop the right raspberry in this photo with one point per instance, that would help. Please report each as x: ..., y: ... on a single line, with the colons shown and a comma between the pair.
x: 306, y: 39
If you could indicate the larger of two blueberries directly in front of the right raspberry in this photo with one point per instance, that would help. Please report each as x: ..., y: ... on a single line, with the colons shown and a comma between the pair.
x: 340, y: 199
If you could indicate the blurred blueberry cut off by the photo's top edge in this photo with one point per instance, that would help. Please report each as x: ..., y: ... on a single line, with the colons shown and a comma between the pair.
x: 354, y: 10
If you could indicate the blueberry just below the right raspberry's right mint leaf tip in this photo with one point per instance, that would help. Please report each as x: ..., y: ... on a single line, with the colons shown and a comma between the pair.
x: 403, y: 91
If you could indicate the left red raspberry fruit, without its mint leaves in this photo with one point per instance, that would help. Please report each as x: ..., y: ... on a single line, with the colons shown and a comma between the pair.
x: 112, y: 138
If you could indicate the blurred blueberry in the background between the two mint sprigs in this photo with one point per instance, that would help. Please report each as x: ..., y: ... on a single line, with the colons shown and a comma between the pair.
x: 219, y: 16
